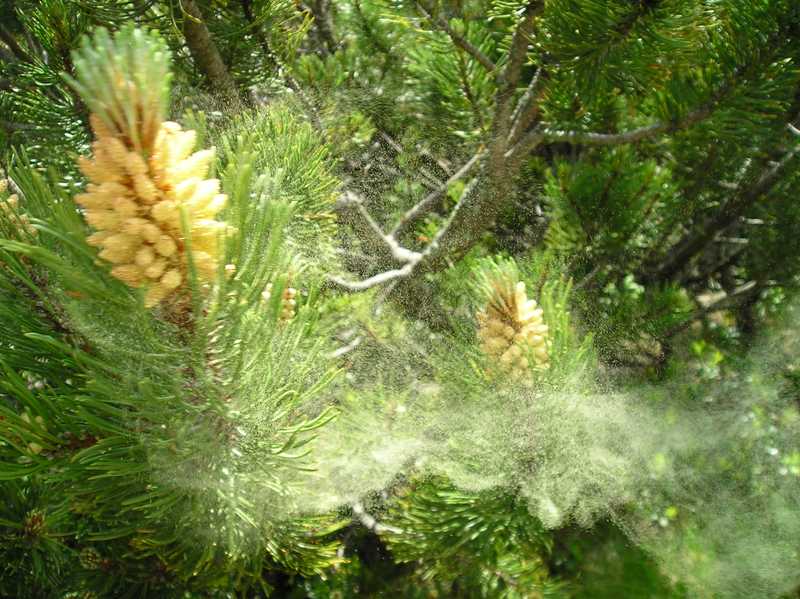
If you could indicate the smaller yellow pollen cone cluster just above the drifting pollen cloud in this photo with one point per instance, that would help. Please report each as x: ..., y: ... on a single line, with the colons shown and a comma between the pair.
x: 512, y: 331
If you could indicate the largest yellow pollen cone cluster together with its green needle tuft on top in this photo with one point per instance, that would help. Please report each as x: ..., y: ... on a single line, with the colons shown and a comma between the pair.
x: 149, y: 197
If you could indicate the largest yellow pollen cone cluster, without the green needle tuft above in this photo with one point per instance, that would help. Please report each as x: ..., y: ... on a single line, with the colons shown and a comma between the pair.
x: 135, y: 201
